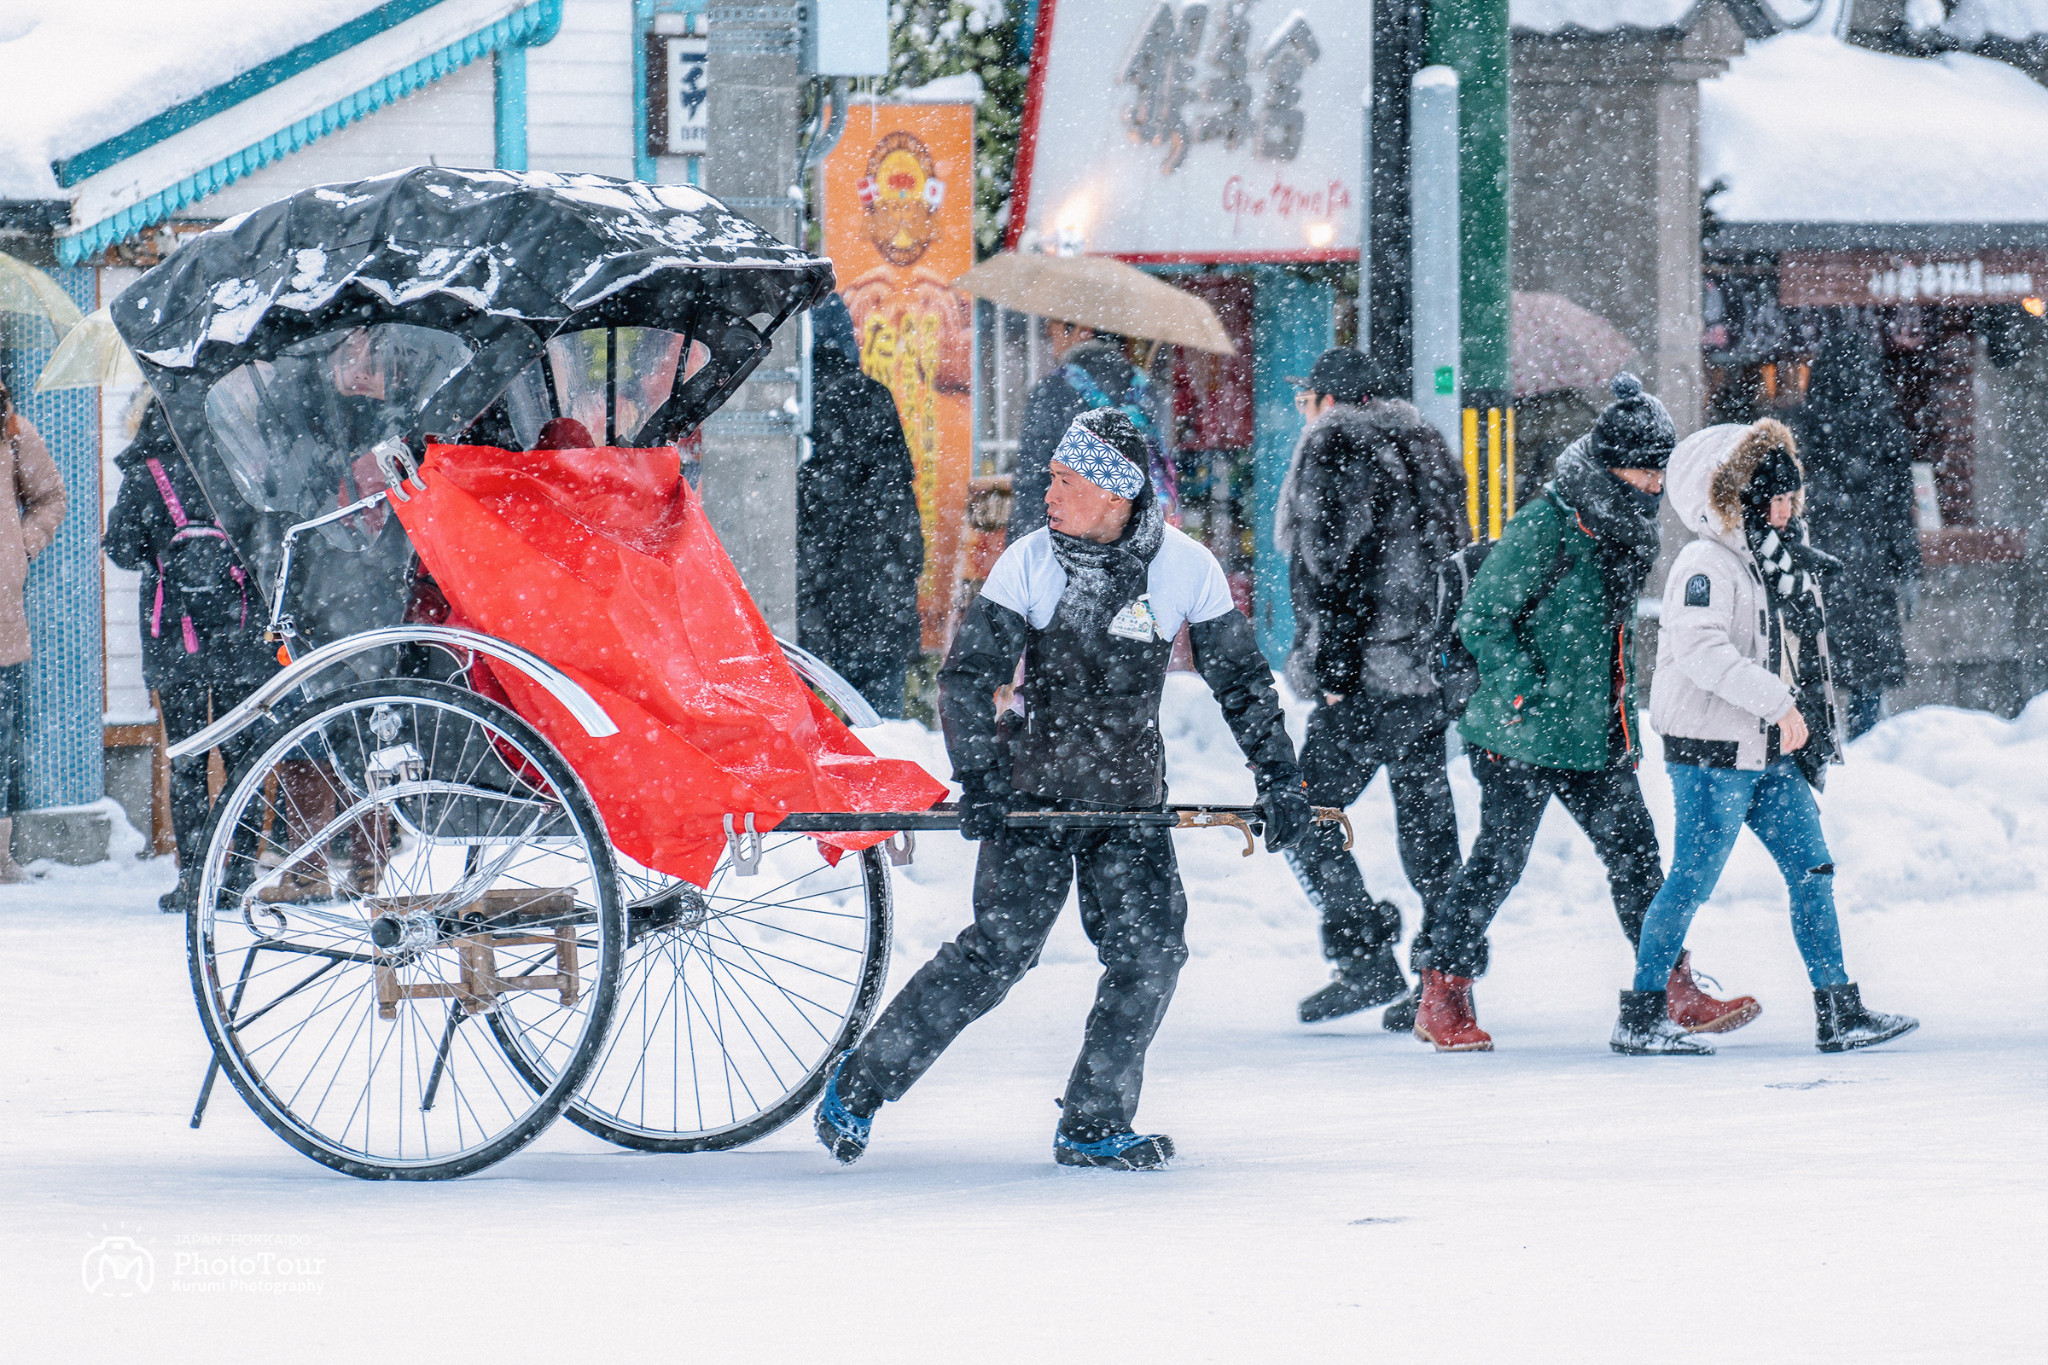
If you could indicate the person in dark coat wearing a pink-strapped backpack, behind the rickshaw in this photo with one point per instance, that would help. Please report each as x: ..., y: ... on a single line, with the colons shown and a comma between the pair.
x: 202, y: 623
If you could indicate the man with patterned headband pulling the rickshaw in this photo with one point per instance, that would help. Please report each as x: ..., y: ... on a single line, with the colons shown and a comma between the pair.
x: 1091, y: 603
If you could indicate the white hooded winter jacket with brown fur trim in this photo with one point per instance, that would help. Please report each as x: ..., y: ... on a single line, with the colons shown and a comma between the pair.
x: 1715, y: 676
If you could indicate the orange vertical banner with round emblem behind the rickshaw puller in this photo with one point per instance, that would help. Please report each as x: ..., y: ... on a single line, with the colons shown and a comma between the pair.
x: 900, y: 228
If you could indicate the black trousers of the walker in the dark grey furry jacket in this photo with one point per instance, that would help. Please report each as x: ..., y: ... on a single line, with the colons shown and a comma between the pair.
x: 1347, y: 746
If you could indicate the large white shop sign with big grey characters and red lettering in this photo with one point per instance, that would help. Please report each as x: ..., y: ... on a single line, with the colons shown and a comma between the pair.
x: 1197, y: 132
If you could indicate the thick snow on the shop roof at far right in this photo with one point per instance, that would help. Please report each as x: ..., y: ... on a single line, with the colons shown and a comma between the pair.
x: 1811, y: 130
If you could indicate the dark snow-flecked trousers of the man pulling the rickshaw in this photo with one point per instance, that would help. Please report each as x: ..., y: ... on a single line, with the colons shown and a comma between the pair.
x: 1136, y: 916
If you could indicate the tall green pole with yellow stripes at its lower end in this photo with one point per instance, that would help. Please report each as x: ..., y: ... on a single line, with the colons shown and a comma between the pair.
x: 1471, y: 38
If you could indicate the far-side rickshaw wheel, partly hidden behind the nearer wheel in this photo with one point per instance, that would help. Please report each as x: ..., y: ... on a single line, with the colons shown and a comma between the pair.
x: 738, y: 1000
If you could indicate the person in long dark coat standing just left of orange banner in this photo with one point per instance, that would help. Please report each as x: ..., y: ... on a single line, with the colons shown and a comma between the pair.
x: 859, y: 537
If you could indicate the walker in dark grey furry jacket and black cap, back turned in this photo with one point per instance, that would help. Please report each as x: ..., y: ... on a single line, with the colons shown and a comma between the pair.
x: 1371, y: 504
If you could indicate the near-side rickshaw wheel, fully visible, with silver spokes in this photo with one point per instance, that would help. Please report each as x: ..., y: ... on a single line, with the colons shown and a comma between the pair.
x: 392, y: 861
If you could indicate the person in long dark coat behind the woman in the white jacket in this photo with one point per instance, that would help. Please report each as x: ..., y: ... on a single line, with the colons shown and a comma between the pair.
x: 1861, y: 511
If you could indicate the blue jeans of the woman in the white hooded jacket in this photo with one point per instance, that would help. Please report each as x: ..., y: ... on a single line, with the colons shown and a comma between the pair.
x: 1713, y: 805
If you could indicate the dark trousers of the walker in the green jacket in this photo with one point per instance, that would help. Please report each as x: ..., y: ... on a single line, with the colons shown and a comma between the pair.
x: 1512, y: 797
